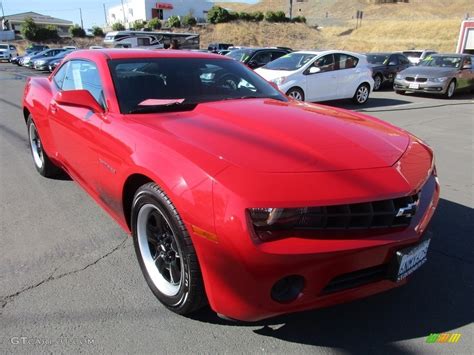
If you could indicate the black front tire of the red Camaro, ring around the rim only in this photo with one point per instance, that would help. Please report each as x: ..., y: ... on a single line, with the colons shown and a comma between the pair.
x: 148, y: 196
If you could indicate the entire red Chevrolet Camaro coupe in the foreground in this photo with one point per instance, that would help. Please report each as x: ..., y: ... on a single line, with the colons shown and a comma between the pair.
x: 235, y: 195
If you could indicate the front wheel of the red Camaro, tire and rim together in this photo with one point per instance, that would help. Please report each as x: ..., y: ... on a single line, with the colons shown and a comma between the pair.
x: 165, y: 251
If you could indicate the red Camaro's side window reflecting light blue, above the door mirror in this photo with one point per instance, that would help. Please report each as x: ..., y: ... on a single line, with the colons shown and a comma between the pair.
x: 84, y: 75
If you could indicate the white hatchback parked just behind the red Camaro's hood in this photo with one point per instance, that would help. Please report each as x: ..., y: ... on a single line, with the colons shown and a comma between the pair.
x: 321, y: 76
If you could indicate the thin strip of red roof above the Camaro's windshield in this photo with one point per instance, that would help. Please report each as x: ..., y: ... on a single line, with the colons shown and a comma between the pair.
x: 141, y: 53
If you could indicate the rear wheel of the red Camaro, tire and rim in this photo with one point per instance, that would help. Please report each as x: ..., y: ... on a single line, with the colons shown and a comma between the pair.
x: 43, y: 163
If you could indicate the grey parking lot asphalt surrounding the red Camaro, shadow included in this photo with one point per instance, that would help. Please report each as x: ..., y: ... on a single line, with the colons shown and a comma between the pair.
x: 70, y: 282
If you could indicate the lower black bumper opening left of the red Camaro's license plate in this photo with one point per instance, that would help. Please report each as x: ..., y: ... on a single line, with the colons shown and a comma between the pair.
x: 356, y: 279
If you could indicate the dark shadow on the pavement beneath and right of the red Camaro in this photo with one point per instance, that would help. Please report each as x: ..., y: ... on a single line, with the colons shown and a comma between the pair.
x: 437, y: 299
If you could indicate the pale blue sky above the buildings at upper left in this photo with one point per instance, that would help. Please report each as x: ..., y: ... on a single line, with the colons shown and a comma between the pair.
x: 92, y: 10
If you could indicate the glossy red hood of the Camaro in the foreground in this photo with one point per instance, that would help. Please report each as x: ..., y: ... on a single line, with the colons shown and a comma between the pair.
x: 265, y: 135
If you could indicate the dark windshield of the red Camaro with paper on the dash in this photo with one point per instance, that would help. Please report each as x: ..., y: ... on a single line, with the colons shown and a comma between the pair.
x: 184, y: 82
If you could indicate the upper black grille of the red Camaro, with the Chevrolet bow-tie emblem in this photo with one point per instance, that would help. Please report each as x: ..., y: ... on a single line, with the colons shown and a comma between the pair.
x: 367, y: 215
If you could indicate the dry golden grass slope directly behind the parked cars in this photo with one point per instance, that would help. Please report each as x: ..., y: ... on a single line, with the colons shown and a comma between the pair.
x: 440, y: 35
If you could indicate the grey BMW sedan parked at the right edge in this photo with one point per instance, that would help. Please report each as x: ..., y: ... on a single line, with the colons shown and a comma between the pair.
x: 441, y: 74
